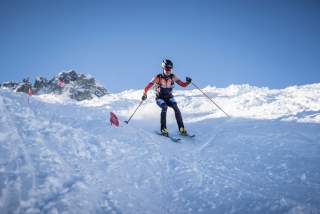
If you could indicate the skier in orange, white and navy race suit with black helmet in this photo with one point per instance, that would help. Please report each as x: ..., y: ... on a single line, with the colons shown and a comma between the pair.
x: 164, y: 97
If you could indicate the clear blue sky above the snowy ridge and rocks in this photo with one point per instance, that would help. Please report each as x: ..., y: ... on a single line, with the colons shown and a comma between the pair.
x: 271, y: 43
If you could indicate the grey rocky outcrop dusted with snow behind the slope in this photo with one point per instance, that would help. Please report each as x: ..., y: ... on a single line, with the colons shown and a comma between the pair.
x: 76, y: 86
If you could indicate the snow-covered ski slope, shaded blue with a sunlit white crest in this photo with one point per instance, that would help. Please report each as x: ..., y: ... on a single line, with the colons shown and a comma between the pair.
x: 62, y: 156
